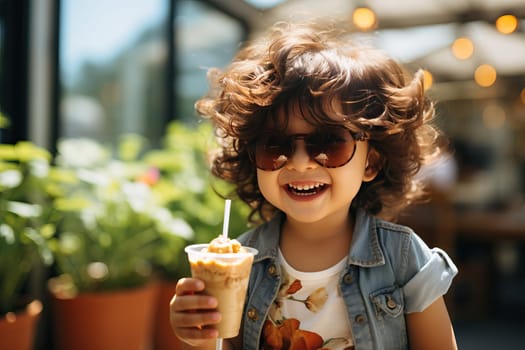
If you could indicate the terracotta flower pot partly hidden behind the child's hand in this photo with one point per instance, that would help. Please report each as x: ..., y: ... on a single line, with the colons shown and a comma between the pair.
x: 164, y: 338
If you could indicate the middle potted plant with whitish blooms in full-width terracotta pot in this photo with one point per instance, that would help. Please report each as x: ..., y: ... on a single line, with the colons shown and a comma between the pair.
x: 111, y: 225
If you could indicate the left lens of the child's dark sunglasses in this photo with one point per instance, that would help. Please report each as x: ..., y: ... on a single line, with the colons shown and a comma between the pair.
x: 272, y: 151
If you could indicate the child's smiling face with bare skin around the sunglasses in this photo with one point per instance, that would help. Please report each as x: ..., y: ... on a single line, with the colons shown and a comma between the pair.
x: 308, y: 192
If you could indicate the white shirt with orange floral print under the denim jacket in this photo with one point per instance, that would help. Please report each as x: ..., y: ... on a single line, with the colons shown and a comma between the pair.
x: 309, y: 312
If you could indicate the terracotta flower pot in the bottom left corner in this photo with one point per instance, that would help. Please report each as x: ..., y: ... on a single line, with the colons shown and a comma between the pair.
x: 17, y: 330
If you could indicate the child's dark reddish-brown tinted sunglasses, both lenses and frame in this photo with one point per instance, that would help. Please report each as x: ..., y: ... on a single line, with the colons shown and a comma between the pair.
x: 330, y: 147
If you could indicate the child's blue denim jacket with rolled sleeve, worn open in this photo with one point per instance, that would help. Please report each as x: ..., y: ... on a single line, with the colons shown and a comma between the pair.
x: 390, y: 272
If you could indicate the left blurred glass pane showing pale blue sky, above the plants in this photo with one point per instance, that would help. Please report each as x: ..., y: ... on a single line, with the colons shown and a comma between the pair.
x: 113, y: 68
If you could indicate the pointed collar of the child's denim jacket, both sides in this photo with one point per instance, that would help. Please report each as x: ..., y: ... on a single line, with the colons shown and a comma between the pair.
x: 365, y: 251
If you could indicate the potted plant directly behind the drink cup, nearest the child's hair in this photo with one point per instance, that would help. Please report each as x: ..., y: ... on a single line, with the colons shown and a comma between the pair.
x: 186, y: 187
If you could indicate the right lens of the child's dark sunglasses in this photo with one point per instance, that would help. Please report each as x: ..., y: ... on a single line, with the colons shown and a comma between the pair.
x: 331, y: 148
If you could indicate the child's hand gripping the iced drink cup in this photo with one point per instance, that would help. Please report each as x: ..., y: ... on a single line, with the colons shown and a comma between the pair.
x: 192, y: 314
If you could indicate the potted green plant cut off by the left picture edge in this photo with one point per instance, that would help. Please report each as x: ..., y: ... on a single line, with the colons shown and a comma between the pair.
x: 26, y: 223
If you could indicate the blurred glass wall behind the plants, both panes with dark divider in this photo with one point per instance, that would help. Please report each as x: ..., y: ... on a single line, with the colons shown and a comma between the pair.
x: 116, y: 72
